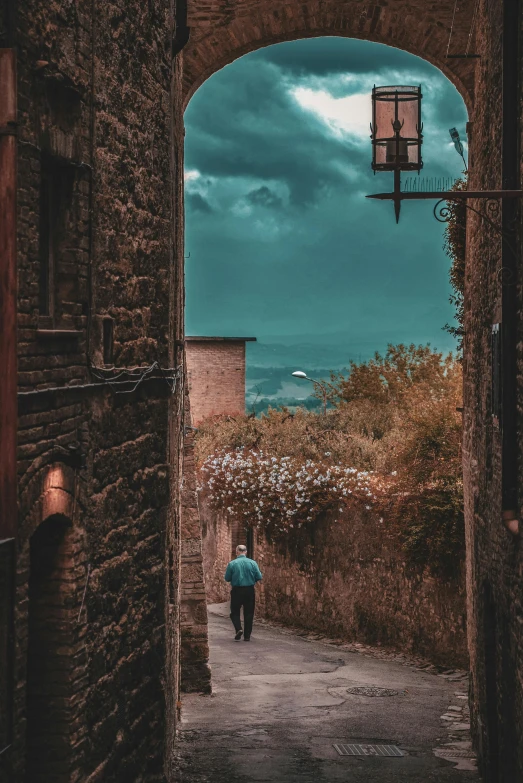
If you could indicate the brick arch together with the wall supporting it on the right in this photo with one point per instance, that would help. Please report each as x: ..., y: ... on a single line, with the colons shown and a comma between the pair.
x: 222, y: 31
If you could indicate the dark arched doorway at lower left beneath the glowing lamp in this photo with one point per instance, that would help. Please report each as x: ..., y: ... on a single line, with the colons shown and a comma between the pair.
x: 49, y: 653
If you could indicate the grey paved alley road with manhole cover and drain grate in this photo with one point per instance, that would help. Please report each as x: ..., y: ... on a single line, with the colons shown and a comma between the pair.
x: 280, y: 703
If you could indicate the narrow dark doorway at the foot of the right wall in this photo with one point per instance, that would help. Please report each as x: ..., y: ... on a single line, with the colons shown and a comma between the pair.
x: 491, y: 757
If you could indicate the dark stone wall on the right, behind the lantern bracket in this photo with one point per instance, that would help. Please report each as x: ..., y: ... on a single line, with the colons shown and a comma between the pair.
x: 495, y: 556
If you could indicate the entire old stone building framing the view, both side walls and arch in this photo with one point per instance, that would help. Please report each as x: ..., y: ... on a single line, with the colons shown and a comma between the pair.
x: 100, y: 90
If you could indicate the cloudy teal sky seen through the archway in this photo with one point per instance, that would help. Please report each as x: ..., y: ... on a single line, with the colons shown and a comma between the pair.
x: 283, y: 244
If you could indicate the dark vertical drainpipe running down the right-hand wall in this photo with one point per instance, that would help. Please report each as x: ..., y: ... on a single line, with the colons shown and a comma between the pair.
x: 509, y: 263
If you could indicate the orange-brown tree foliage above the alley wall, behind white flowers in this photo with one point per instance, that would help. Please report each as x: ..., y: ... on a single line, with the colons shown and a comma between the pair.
x: 395, y: 416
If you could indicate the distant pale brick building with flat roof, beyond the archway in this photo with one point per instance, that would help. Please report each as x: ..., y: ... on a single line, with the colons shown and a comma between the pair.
x: 216, y: 375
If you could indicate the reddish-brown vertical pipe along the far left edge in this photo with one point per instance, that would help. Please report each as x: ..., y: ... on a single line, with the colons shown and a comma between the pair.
x: 8, y: 302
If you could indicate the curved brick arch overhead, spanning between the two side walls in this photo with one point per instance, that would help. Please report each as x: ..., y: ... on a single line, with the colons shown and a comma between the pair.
x: 224, y: 31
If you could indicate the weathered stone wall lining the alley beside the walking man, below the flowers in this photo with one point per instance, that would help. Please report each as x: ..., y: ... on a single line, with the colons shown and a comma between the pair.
x: 343, y: 577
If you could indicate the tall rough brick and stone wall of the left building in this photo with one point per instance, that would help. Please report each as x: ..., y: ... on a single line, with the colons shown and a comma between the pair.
x: 99, y: 283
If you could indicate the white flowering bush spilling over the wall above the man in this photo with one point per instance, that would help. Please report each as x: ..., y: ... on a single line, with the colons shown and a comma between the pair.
x: 280, y: 493
